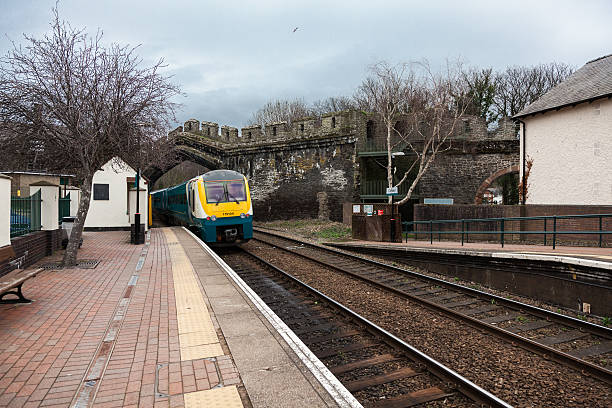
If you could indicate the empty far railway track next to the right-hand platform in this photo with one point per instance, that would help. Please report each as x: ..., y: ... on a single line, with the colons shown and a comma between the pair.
x: 582, y: 345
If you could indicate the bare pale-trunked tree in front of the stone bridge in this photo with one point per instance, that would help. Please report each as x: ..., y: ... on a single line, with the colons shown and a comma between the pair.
x: 426, y: 101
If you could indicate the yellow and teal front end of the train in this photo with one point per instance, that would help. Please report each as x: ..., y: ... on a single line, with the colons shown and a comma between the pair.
x: 226, y: 201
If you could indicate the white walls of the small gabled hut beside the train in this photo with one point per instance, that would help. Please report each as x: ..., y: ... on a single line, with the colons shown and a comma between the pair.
x: 113, y: 213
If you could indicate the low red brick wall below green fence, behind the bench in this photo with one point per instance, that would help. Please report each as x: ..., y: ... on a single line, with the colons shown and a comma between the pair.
x: 37, y: 245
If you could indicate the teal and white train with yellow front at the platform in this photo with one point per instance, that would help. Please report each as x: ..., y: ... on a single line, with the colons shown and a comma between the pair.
x: 216, y: 205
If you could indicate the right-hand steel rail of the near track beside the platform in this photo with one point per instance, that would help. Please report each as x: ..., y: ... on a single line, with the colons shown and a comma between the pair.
x: 464, y: 385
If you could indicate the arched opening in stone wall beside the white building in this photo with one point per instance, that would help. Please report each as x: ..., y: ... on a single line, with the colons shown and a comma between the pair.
x: 500, y: 187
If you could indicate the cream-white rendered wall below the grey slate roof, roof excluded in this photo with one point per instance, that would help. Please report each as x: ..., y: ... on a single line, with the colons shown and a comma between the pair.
x: 572, y: 155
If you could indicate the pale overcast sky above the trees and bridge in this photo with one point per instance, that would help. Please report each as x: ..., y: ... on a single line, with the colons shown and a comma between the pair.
x: 231, y: 57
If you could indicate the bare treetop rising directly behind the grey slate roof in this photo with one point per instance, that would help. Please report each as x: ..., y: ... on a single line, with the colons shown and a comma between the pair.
x: 517, y: 86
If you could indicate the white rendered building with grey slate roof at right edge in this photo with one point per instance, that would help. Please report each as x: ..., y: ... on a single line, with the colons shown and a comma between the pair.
x: 566, y: 135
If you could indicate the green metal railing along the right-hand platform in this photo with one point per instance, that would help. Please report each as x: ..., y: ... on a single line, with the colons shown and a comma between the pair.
x: 500, y: 230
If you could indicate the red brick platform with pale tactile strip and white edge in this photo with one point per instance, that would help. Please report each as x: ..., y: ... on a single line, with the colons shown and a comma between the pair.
x: 164, y: 324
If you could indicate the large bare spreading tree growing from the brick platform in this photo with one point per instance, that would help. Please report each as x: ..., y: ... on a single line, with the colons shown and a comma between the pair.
x: 76, y: 104
